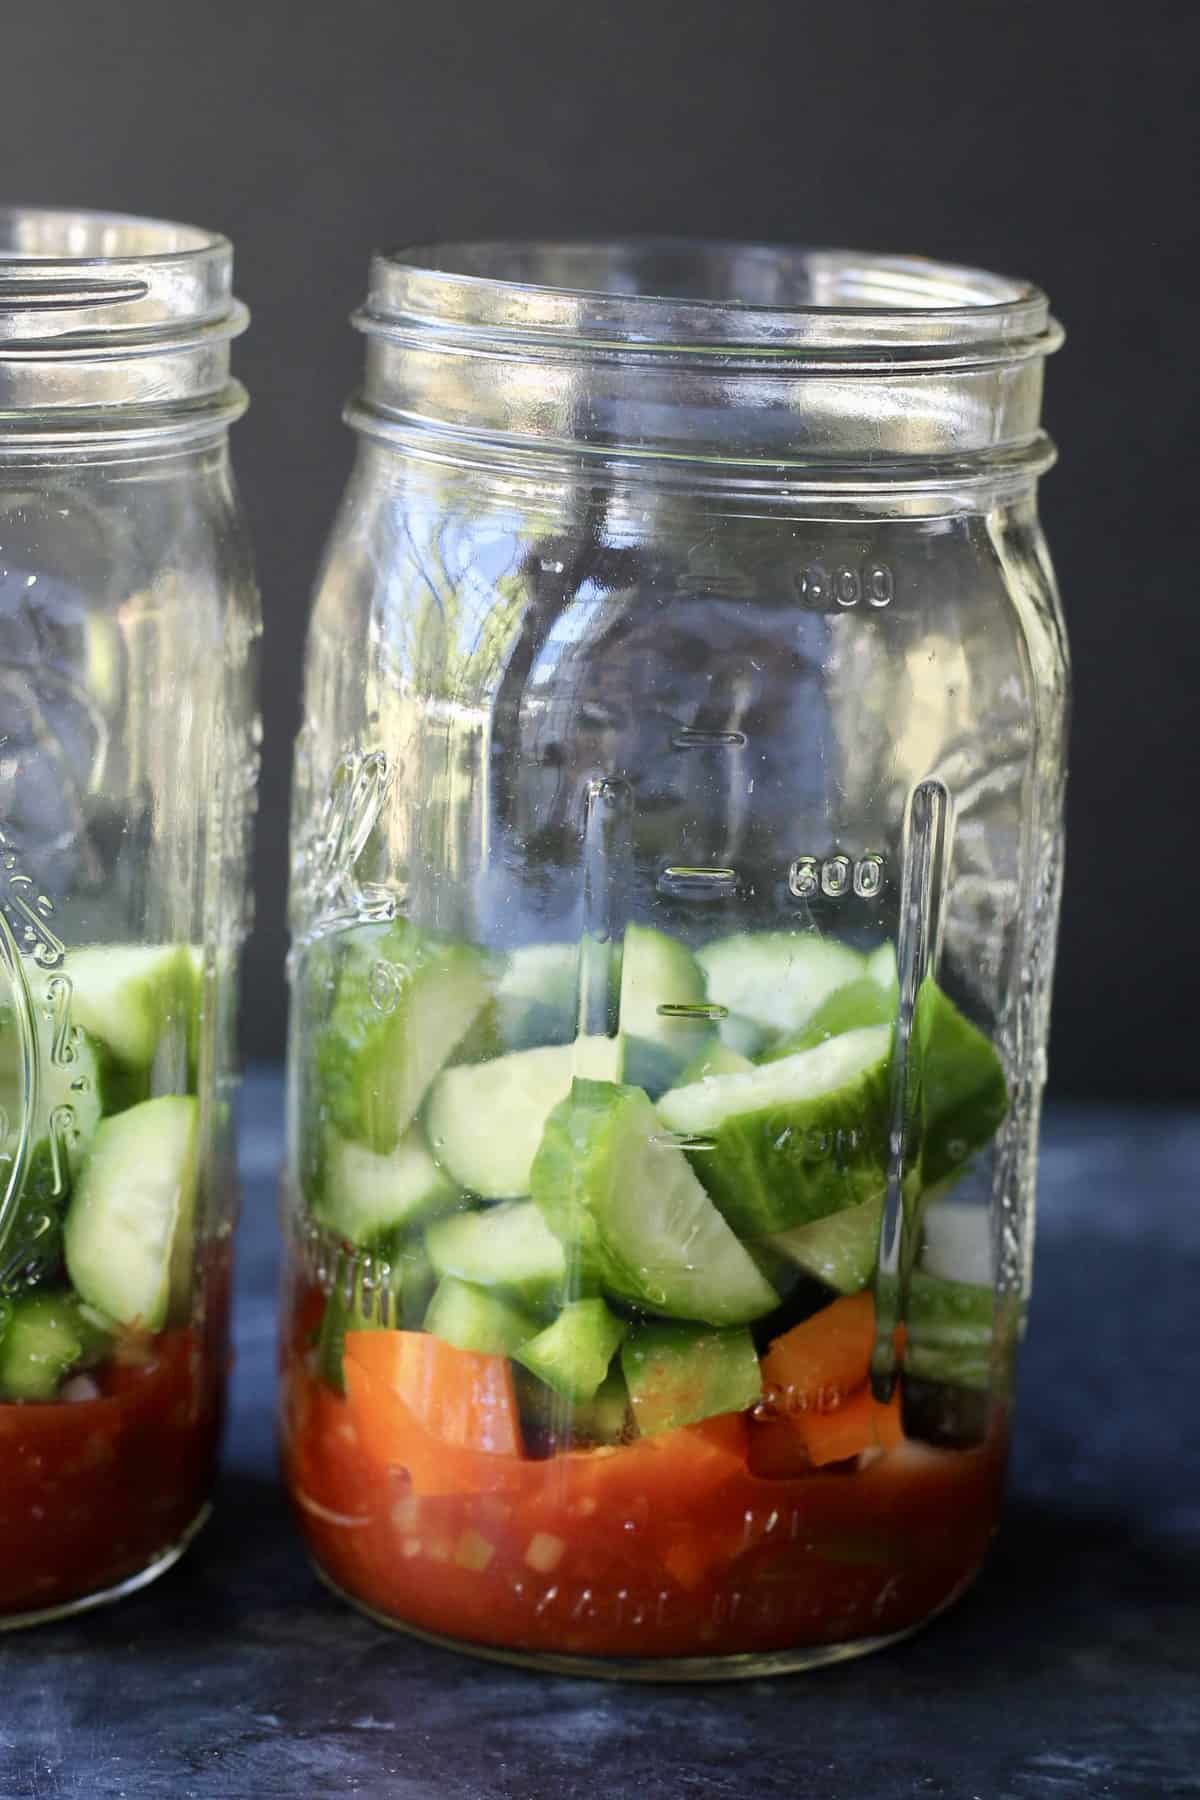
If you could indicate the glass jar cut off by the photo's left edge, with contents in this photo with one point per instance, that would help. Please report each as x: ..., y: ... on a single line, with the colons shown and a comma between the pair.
x: 129, y: 746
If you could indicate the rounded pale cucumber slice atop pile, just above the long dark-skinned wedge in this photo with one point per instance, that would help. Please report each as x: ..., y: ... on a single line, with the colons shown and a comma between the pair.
x: 776, y: 978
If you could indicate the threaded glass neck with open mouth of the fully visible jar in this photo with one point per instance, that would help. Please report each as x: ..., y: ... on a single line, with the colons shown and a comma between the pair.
x: 706, y: 352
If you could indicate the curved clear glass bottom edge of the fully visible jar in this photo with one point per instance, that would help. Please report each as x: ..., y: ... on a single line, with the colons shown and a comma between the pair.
x: 661, y: 1669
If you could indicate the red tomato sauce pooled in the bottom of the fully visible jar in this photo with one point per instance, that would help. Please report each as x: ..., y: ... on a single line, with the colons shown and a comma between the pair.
x: 672, y: 1547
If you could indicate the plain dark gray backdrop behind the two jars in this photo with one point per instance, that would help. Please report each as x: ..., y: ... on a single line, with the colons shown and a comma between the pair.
x: 1046, y: 139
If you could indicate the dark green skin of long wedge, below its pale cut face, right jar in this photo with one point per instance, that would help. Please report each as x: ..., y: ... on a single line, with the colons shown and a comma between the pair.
x: 794, y: 1164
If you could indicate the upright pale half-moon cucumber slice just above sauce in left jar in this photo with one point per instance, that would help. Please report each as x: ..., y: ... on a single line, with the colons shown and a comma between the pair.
x: 129, y: 1236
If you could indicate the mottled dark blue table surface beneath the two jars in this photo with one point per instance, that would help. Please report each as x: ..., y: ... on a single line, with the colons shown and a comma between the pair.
x: 1070, y: 1673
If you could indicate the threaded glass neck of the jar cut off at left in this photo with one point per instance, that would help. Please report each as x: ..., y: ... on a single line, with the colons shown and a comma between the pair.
x: 114, y: 325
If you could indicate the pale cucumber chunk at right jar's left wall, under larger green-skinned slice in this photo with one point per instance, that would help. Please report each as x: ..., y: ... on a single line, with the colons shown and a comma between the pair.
x: 366, y: 1196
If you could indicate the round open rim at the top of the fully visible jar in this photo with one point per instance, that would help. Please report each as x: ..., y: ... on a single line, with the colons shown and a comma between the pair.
x: 728, y: 298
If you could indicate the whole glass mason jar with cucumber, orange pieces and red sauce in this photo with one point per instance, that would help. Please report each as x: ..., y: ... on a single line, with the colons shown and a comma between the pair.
x: 676, y: 879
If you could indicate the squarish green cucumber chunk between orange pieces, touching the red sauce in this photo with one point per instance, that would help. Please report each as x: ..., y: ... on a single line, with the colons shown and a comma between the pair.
x: 681, y: 1374
